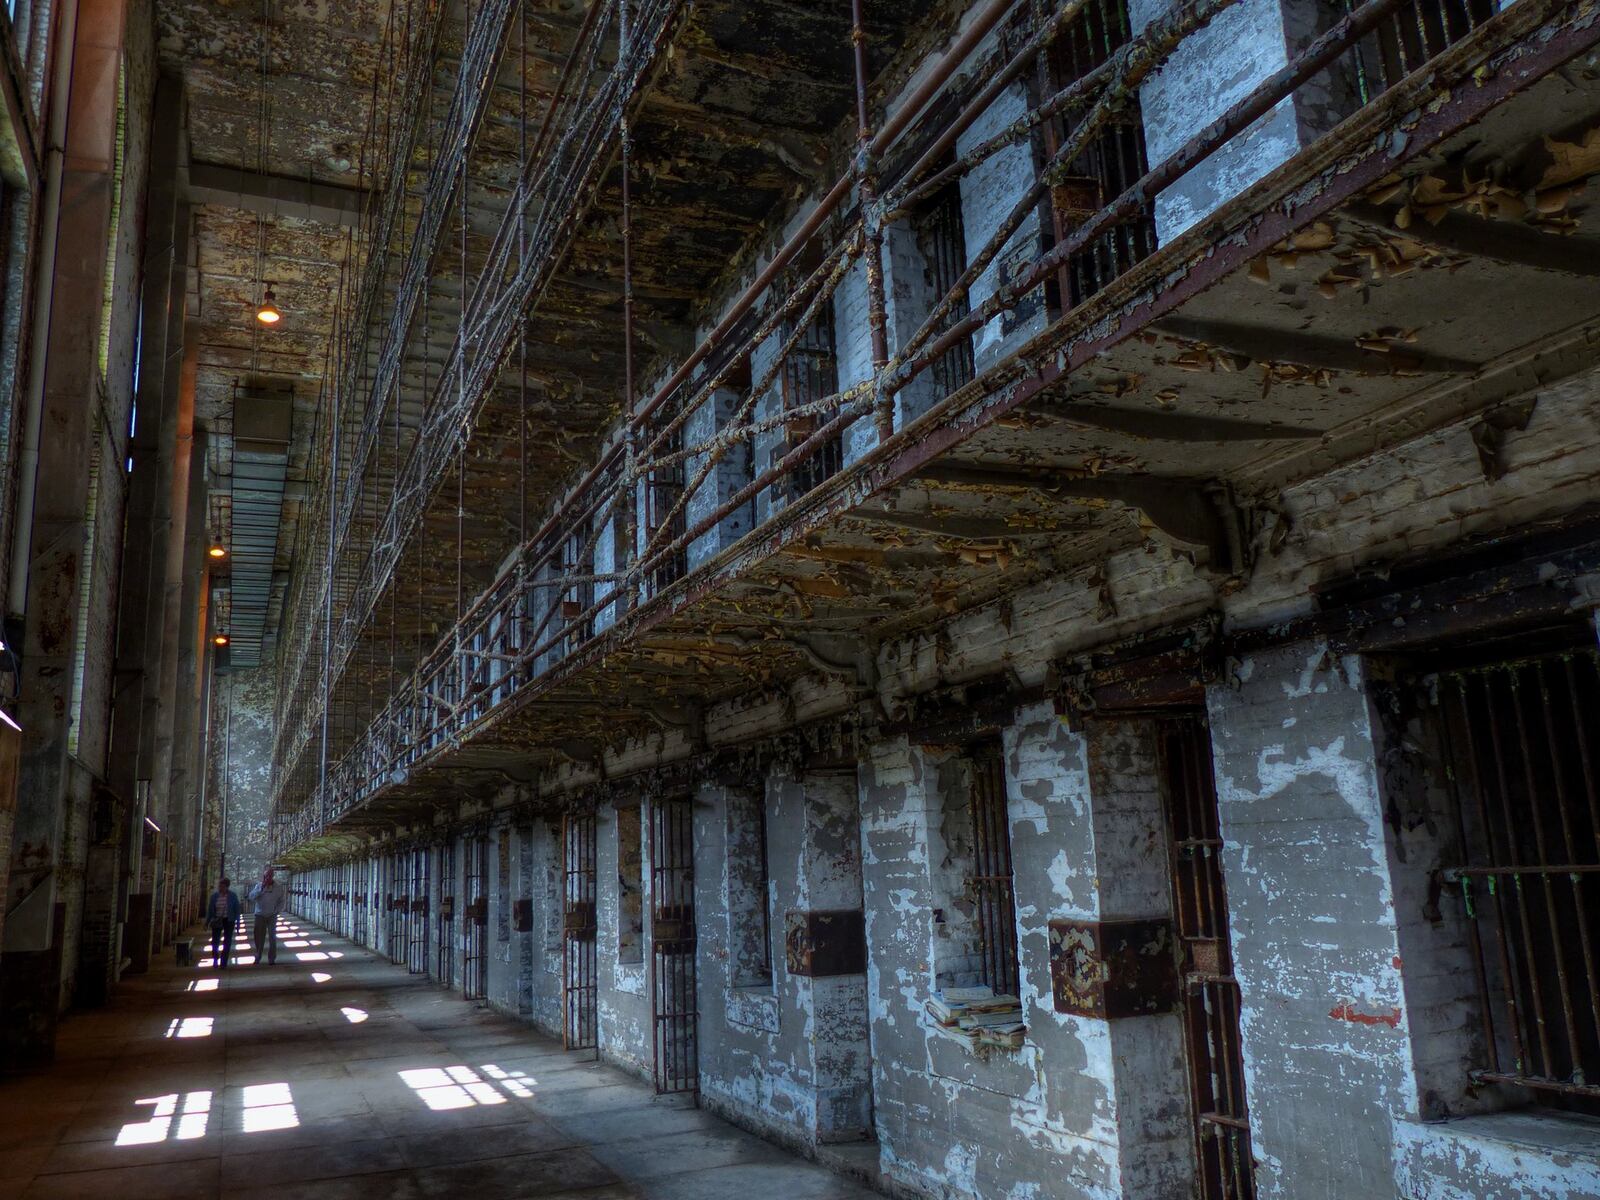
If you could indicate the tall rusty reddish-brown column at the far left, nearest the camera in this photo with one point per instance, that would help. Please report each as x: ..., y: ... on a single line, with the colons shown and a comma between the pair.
x: 31, y: 967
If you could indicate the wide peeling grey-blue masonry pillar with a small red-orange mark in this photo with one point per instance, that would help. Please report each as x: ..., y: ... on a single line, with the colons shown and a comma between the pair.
x: 1318, y: 950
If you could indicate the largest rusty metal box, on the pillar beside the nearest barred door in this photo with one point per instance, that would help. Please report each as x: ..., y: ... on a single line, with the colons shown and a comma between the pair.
x: 1113, y: 969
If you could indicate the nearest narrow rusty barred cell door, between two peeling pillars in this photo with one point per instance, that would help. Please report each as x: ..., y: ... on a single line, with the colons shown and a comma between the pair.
x: 1210, y: 994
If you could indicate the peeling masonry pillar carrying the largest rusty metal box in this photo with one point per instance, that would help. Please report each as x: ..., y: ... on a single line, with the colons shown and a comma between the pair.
x: 1089, y: 886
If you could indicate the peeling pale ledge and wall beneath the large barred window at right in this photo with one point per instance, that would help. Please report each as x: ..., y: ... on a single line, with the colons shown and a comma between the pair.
x: 1553, y: 1156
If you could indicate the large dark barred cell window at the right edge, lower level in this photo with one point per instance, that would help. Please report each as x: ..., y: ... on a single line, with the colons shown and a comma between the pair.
x: 1524, y: 759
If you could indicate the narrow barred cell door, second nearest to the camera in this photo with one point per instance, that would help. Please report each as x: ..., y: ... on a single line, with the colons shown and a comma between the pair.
x: 674, y: 1002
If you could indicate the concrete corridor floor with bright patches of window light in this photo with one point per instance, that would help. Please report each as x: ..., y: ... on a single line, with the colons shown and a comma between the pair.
x: 345, y: 1078
